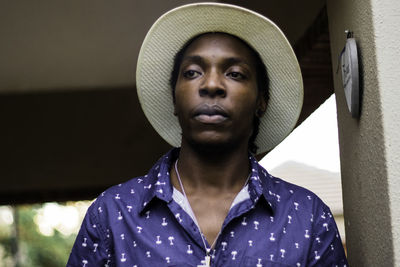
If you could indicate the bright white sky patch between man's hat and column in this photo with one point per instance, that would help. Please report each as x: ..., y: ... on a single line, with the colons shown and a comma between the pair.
x: 314, y: 142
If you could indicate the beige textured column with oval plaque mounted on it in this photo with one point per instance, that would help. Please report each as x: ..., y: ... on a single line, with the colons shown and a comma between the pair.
x: 370, y: 145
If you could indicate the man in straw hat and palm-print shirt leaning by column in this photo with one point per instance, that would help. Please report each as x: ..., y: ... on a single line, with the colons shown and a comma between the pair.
x: 235, y: 90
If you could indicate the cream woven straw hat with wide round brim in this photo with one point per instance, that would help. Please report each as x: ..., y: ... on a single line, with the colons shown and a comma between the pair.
x: 172, y: 30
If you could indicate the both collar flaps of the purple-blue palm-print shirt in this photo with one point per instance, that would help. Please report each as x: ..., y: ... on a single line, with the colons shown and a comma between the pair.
x: 157, y: 182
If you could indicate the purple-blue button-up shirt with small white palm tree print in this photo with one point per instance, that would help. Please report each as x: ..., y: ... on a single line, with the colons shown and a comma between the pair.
x: 140, y: 223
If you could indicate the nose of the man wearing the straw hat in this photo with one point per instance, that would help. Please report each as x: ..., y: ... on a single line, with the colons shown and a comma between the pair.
x: 213, y: 85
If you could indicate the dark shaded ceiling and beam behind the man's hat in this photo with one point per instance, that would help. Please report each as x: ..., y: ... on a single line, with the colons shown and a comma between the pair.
x: 68, y: 134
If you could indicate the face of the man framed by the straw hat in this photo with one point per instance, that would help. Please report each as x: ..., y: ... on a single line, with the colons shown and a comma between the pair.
x: 216, y: 91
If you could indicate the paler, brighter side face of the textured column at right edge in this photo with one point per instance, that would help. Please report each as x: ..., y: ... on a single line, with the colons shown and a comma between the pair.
x: 386, y: 16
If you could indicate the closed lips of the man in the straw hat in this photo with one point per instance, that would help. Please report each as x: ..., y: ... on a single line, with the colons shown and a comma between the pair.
x: 210, y: 114
